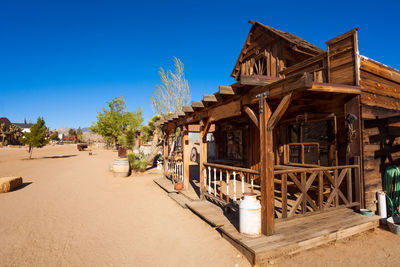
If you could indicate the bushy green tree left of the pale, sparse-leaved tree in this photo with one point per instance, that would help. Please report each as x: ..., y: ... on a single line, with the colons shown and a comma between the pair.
x: 113, y: 122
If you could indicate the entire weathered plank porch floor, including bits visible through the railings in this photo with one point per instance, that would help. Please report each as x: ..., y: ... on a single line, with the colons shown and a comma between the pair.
x: 292, y: 235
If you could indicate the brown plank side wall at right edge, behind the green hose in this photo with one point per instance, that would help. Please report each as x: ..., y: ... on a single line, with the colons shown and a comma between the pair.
x: 380, y: 107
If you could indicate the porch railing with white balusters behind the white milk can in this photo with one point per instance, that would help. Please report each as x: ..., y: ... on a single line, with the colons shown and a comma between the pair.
x: 227, y: 183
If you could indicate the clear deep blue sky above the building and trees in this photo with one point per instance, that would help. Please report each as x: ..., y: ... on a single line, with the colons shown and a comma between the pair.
x: 64, y: 60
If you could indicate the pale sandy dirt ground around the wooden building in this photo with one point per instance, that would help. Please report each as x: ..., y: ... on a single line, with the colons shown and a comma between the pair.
x: 71, y: 211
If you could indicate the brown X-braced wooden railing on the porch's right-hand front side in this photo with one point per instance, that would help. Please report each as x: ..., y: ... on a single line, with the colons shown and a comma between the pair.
x: 306, y: 190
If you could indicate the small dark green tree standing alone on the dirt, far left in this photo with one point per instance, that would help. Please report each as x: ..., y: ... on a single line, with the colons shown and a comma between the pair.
x: 36, y: 137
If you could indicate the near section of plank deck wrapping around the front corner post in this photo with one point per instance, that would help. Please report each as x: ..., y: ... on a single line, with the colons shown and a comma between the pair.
x: 291, y: 236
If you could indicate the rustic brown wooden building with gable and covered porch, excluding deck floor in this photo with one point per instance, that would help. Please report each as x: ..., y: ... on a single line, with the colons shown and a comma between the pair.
x: 309, y: 130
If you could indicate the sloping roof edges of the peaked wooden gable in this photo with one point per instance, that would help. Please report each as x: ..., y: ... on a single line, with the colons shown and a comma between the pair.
x: 300, y: 44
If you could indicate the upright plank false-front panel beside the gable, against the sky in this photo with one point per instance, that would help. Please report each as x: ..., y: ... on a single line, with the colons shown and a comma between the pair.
x: 342, y: 59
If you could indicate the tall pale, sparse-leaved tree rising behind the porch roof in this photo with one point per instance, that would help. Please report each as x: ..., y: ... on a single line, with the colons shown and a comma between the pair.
x: 173, y: 92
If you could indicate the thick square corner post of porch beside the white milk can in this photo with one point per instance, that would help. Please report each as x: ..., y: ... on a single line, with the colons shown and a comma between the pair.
x: 267, y: 169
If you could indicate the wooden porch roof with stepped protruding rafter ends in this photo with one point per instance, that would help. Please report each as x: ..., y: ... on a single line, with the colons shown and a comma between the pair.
x: 246, y: 93
